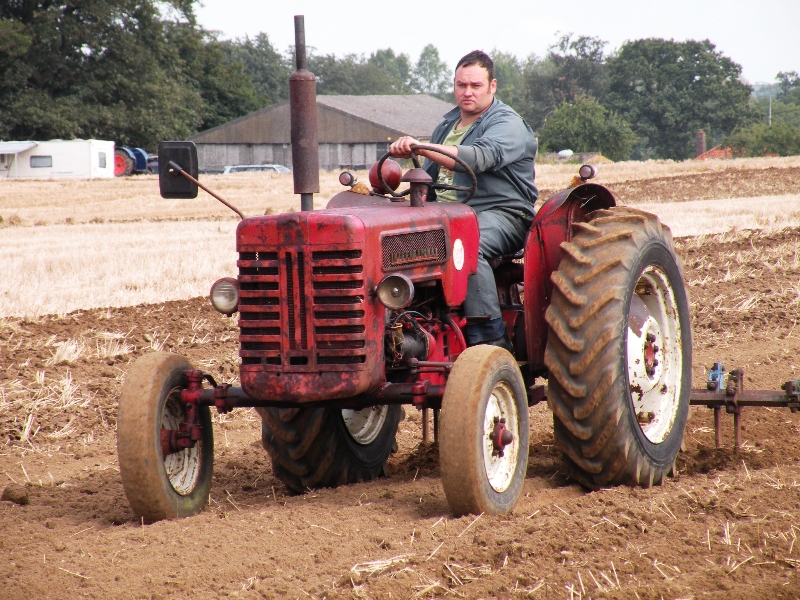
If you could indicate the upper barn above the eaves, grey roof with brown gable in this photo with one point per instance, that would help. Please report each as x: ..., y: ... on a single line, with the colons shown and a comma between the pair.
x: 340, y: 119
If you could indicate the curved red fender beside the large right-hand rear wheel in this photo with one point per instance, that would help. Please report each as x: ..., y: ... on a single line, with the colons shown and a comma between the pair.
x: 551, y: 227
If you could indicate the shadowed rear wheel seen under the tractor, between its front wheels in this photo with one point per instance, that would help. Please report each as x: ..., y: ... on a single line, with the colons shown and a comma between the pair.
x: 327, y: 447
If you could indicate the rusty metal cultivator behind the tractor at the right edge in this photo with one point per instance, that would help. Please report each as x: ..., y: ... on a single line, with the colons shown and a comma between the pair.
x: 725, y: 391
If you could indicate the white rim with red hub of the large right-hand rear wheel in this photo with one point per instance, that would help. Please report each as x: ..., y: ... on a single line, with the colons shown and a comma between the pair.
x: 655, y: 363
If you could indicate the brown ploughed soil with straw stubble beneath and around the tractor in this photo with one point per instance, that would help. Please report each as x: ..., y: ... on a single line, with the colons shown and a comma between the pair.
x: 726, y: 526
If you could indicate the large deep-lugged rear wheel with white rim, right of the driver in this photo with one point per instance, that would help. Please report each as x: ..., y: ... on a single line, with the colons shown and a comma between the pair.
x: 619, y: 350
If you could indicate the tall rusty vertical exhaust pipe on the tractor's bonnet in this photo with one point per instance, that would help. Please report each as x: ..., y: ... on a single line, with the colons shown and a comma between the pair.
x: 303, y: 108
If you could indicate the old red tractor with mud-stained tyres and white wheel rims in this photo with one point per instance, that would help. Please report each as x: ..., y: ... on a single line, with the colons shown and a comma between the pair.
x: 347, y: 313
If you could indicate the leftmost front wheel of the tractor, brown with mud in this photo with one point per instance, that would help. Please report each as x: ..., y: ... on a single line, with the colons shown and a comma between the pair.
x: 157, y: 486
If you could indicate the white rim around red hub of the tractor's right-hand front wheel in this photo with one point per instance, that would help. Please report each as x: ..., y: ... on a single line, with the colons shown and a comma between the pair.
x: 500, y: 469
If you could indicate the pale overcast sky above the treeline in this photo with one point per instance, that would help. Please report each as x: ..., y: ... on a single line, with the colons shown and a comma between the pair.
x: 763, y: 36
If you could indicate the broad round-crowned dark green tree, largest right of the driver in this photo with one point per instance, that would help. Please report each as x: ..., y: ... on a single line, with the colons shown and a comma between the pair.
x: 668, y: 90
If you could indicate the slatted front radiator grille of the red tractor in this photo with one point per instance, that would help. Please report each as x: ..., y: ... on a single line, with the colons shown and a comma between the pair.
x: 302, y: 310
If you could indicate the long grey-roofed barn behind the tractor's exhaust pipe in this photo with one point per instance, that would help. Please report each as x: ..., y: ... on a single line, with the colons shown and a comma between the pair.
x: 353, y: 131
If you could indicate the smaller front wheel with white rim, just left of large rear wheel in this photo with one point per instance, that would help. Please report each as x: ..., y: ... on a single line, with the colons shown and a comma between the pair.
x: 483, y: 435
